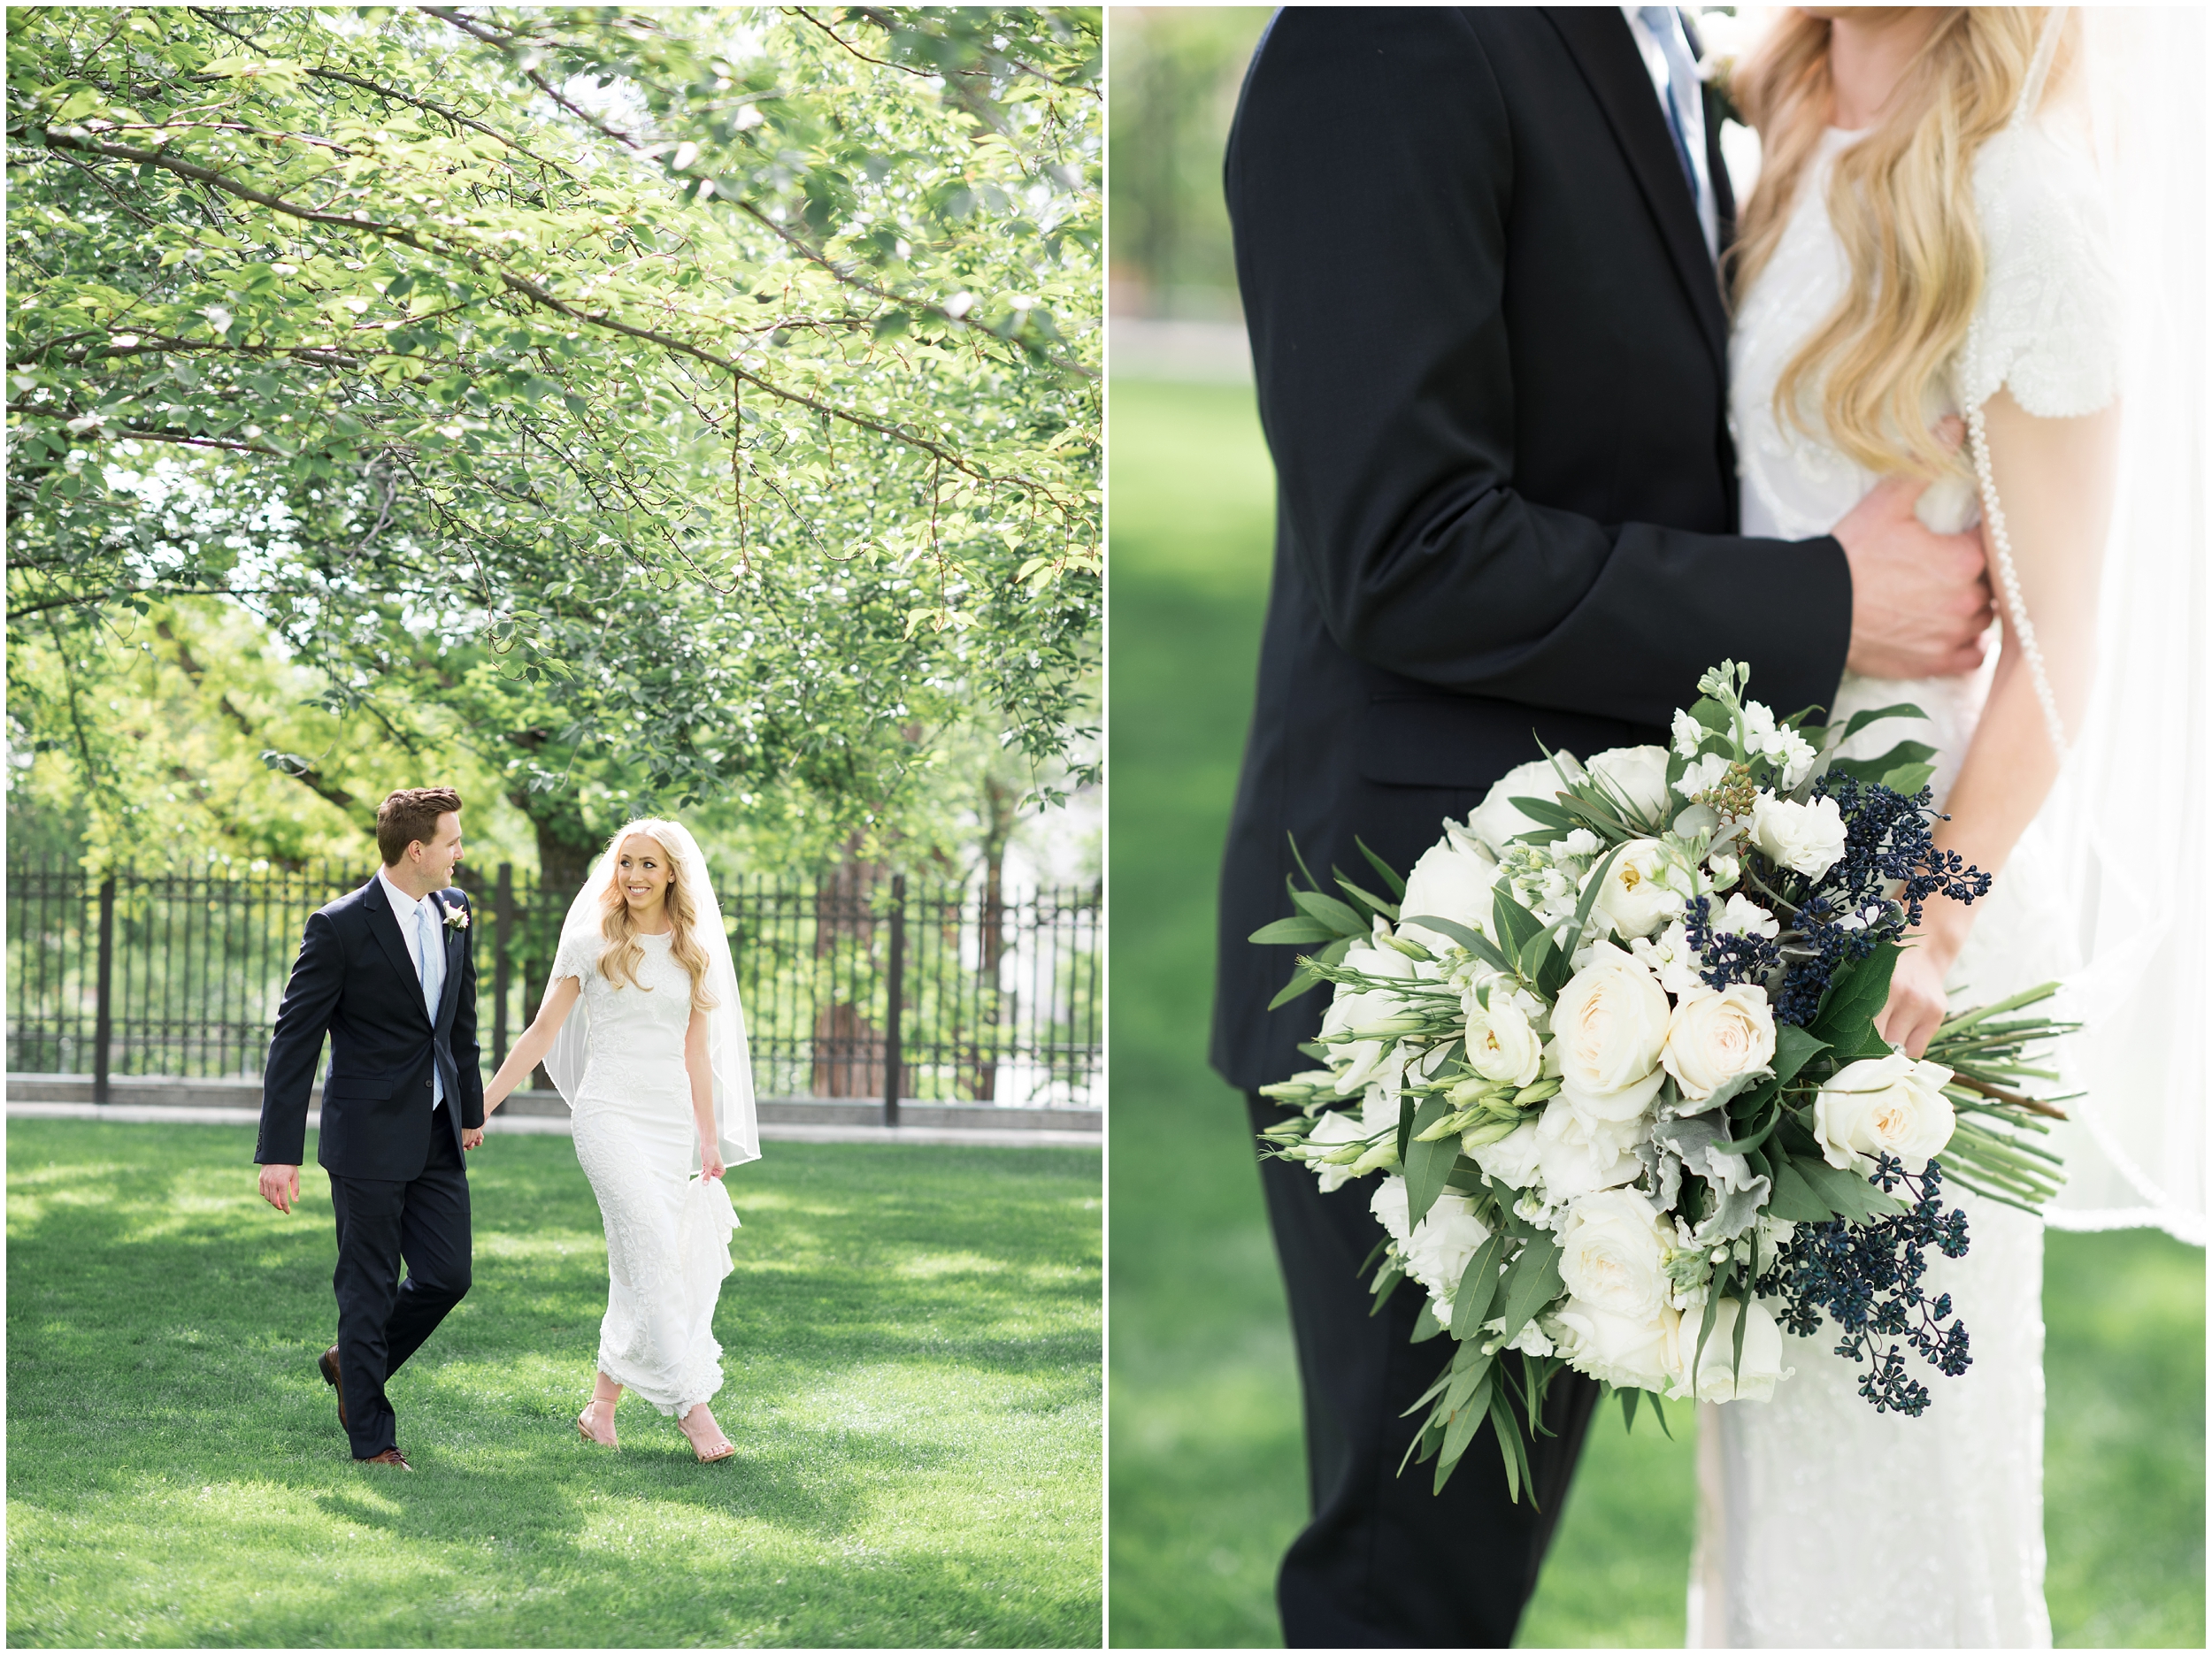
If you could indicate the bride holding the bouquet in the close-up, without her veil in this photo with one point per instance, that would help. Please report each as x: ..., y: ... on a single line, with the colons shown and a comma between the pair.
x: 1923, y: 244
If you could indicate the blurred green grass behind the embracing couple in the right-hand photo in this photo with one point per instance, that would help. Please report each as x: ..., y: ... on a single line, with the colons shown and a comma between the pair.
x: 1207, y: 1477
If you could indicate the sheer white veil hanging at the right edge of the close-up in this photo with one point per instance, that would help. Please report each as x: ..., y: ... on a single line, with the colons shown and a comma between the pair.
x: 2129, y: 813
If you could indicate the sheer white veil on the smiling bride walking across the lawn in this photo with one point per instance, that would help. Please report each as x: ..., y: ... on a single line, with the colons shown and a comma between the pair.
x: 727, y: 1021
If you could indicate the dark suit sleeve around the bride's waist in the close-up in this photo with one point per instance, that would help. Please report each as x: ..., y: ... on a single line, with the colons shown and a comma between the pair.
x: 1370, y: 185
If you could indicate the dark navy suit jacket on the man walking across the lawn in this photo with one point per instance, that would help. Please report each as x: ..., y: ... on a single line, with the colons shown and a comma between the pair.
x: 357, y: 983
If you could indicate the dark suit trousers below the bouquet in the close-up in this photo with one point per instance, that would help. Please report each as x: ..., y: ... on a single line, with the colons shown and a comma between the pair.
x: 1384, y: 1561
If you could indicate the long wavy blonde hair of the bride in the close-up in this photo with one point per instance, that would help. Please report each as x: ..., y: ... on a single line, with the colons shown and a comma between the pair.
x: 1903, y: 209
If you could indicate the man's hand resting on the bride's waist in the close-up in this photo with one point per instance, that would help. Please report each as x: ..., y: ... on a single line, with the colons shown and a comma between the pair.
x: 1919, y: 598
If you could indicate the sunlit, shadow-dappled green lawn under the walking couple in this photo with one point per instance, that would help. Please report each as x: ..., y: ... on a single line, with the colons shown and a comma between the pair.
x: 912, y: 1353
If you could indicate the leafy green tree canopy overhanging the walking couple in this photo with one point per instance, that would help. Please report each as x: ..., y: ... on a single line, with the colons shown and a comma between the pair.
x: 680, y: 402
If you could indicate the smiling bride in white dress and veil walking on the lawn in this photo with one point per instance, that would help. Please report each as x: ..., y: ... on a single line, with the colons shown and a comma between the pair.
x: 643, y: 1032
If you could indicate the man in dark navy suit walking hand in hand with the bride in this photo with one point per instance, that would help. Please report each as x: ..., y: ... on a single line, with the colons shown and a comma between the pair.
x: 386, y: 972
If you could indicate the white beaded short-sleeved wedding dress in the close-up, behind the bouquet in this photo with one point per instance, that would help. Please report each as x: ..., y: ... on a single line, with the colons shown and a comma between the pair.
x: 1824, y: 1523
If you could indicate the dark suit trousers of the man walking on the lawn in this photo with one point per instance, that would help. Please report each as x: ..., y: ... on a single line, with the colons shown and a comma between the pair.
x: 384, y: 1320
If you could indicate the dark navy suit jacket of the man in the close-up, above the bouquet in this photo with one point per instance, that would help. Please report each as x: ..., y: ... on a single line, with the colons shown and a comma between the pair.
x: 1492, y: 368
